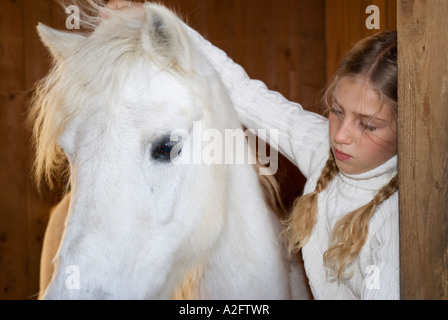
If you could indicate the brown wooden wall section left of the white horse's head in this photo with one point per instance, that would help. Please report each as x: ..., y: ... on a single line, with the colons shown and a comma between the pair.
x: 23, y: 213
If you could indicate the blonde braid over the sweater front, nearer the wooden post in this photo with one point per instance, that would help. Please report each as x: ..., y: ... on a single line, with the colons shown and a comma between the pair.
x: 350, y: 232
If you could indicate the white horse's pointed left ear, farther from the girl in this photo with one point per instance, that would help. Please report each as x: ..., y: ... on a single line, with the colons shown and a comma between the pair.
x: 61, y: 44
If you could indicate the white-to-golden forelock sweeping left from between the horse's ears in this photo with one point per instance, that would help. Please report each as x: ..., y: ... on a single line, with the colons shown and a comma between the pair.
x: 90, y: 77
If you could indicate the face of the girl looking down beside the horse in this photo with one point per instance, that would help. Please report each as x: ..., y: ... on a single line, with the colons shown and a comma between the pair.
x: 363, y: 134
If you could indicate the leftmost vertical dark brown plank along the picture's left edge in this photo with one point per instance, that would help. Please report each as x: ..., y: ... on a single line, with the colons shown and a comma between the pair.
x: 13, y: 169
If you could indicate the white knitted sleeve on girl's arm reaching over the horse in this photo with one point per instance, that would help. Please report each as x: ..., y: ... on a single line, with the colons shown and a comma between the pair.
x: 302, y: 136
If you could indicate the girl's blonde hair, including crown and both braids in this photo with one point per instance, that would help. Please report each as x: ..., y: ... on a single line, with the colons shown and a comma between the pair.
x: 373, y: 59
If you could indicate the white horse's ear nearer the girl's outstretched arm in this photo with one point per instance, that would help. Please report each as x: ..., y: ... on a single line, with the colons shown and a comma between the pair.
x: 164, y: 36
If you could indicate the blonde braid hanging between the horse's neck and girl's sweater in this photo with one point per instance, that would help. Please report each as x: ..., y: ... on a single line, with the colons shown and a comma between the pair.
x: 303, y: 216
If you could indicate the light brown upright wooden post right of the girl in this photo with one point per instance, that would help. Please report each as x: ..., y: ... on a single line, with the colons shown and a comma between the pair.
x: 423, y: 148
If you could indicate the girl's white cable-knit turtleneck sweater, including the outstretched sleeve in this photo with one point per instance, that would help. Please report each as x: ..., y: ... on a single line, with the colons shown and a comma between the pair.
x: 304, y: 139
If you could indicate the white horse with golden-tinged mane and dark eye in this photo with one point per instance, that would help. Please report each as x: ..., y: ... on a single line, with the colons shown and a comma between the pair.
x: 141, y: 221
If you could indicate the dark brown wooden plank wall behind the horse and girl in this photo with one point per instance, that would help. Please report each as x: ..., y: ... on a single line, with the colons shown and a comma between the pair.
x: 292, y: 45
